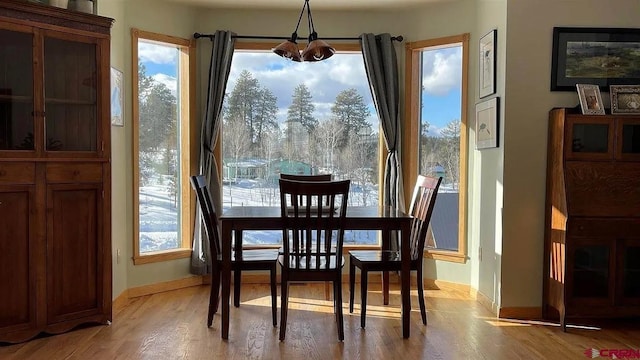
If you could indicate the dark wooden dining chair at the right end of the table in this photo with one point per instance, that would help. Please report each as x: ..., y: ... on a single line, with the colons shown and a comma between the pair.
x: 422, y: 203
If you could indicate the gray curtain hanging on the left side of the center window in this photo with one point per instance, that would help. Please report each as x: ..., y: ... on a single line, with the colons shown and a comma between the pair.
x: 221, y: 55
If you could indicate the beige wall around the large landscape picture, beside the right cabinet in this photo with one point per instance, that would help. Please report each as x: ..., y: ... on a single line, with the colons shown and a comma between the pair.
x: 528, y: 101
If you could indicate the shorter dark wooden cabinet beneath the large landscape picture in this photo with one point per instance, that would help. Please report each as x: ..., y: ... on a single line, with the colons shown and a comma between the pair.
x: 592, y: 226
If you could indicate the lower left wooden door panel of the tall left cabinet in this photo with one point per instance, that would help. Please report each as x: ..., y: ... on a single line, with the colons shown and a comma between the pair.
x: 17, y: 265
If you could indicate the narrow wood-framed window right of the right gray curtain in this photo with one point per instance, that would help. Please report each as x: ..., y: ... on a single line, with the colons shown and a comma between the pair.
x: 437, y: 135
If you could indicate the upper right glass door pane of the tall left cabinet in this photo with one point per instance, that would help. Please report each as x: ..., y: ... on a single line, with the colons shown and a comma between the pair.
x: 70, y: 95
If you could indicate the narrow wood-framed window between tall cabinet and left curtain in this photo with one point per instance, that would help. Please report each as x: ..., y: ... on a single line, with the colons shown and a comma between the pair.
x: 162, y: 82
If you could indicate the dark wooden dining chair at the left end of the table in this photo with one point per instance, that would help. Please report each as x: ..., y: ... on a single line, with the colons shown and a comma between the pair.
x: 240, y: 259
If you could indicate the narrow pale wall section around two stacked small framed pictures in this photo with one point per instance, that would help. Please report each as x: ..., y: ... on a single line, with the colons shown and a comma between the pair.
x: 486, y: 166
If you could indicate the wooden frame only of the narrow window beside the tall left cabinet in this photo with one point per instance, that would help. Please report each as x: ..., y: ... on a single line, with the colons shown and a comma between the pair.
x: 188, y: 161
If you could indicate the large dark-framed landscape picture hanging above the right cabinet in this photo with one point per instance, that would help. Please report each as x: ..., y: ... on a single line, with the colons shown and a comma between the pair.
x: 600, y: 56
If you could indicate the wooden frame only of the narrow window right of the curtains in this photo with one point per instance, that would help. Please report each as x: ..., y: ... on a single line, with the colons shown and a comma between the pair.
x: 411, y: 134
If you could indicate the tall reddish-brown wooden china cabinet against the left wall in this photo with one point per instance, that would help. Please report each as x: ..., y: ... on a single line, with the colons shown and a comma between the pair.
x: 55, y: 172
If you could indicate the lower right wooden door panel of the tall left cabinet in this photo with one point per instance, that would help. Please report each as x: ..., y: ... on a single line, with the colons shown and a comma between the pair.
x: 74, y: 251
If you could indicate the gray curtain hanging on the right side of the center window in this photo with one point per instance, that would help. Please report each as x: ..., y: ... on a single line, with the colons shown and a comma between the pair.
x: 381, y: 64
